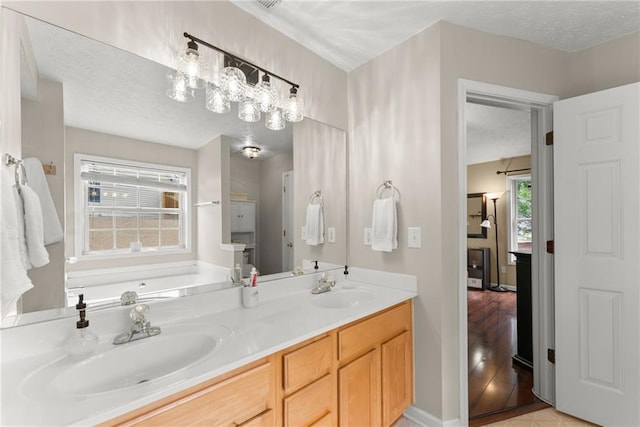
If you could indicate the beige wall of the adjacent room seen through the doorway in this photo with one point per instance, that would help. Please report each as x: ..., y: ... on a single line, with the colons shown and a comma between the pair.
x: 482, y: 178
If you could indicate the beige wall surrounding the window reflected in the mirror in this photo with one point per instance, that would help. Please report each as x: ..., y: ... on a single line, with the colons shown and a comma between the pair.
x: 102, y: 144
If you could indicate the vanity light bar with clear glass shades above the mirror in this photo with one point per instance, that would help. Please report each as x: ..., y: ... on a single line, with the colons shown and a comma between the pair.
x: 253, y: 100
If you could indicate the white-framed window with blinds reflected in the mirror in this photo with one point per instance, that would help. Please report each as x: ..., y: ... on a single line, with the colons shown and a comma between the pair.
x: 129, y: 207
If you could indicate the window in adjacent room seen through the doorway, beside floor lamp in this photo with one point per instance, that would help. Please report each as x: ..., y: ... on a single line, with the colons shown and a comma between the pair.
x: 519, y: 231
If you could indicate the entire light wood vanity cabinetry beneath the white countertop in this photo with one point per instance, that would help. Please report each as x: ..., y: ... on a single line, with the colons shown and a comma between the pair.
x: 357, y: 375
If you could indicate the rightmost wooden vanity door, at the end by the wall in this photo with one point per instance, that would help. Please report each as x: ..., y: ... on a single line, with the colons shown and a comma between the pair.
x: 397, y: 377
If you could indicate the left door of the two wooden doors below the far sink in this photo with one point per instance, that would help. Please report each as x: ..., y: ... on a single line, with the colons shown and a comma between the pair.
x: 359, y: 391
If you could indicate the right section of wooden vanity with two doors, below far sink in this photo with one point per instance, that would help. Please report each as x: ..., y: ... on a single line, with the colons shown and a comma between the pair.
x: 375, y: 382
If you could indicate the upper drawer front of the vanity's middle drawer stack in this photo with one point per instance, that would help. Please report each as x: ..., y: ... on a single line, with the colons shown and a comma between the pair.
x: 306, y: 364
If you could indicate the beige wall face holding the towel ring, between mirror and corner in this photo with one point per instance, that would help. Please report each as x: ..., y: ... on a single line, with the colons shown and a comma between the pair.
x: 394, y: 134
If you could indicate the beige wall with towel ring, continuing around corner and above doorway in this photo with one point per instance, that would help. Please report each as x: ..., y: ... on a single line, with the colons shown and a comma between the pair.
x: 403, y: 126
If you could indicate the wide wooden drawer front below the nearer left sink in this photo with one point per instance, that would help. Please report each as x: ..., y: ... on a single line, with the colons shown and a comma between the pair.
x: 243, y: 398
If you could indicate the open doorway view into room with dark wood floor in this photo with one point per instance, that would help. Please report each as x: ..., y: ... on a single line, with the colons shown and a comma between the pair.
x: 500, y: 376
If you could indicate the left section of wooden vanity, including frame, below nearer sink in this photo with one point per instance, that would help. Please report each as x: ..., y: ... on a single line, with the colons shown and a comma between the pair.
x: 244, y: 397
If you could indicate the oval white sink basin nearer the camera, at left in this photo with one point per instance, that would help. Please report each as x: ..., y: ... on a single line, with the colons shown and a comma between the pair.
x: 133, y: 363
